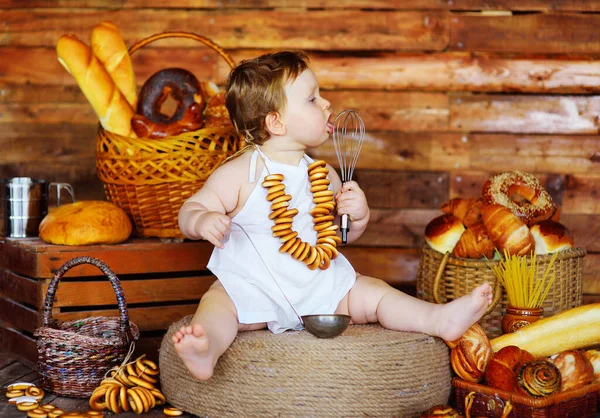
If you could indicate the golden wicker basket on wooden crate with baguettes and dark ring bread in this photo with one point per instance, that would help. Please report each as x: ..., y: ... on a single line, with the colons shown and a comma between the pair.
x: 150, y: 160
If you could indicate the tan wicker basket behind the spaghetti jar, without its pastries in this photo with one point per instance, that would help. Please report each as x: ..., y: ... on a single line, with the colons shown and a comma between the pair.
x: 443, y: 278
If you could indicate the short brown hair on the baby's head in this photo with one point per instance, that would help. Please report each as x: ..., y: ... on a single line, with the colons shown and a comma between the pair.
x: 256, y: 87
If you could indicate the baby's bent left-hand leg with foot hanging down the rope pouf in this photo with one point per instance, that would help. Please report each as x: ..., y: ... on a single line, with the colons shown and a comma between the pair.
x: 210, y: 332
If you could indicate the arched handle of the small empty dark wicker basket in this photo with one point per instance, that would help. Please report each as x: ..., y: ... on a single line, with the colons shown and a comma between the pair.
x: 124, y: 327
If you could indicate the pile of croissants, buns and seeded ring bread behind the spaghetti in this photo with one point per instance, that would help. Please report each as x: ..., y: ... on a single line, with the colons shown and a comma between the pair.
x: 514, y: 214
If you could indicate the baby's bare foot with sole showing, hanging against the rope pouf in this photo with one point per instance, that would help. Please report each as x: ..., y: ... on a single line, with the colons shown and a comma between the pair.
x: 192, y: 345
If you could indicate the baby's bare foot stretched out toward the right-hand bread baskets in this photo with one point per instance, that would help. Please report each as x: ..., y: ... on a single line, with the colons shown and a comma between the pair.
x: 457, y: 316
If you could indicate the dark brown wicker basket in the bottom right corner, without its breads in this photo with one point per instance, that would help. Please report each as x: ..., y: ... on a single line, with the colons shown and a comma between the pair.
x: 473, y: 399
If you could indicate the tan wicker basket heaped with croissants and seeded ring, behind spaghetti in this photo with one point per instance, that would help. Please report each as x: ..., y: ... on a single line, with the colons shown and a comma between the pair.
x: 514, y: 215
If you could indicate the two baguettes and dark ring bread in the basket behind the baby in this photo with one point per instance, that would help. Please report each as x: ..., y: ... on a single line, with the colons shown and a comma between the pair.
x: 104, y: 73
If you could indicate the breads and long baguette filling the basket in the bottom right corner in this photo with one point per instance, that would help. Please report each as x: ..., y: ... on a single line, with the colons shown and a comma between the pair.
x: 538, y: 360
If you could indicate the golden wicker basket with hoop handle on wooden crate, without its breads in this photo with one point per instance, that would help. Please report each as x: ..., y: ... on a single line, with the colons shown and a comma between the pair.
x: 151, y: 179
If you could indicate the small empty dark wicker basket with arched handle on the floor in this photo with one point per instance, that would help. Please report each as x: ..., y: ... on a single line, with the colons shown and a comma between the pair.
x: 74, y: 356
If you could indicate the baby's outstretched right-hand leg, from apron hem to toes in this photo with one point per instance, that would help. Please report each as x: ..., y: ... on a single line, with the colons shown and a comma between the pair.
x: 373, y: 300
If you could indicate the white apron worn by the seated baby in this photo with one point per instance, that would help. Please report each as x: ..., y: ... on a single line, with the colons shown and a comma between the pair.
x: 244, y: 275
